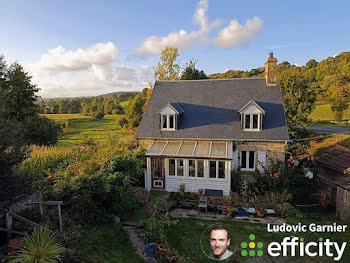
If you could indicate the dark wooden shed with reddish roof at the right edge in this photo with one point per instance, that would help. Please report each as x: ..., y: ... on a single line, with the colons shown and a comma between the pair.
x: 332, y: 178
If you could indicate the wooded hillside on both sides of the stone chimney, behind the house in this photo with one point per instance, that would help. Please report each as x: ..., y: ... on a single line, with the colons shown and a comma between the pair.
x: 327, y: 80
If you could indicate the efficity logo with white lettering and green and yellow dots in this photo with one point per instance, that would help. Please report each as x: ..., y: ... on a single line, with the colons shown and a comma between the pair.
x: 294, y: 246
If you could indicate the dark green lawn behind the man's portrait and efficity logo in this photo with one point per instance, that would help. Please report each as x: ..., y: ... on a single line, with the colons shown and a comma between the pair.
x: 186, y: 234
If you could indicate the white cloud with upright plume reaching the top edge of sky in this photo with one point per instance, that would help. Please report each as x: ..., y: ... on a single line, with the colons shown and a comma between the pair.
x: 182, y: 39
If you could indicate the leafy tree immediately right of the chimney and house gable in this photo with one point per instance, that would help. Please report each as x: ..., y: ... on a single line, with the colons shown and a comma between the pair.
x: 298, y: 97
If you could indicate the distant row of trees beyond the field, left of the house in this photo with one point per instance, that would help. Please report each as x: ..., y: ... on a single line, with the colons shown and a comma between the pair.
x: 106, y: 104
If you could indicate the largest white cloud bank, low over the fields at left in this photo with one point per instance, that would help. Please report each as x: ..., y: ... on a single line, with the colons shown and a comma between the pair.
x: 83, y: 72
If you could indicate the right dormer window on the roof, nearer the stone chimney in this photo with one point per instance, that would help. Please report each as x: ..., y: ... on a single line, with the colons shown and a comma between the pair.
x: 251, y: 116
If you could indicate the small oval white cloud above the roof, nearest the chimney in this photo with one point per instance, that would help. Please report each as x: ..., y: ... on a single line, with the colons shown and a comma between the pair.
x: 235, y: 33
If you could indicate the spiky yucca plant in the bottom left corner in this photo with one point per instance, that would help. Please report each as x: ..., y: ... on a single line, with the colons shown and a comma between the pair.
x: 39, y: 247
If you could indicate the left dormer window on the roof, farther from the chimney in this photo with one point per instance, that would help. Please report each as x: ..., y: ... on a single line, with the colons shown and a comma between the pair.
x: 170, y: 115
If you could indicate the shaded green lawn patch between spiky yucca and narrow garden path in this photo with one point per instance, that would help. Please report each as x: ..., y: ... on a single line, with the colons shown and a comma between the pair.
x: 105, y: 244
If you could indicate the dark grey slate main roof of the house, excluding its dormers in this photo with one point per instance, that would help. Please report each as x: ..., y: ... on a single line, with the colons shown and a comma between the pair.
x: 211, y: 110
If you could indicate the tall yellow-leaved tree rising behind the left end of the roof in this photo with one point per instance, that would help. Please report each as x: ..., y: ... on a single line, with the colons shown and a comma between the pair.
x: 168, y: 68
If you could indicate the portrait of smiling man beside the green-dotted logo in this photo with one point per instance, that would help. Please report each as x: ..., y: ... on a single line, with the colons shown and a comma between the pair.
x: 219, y: 242
